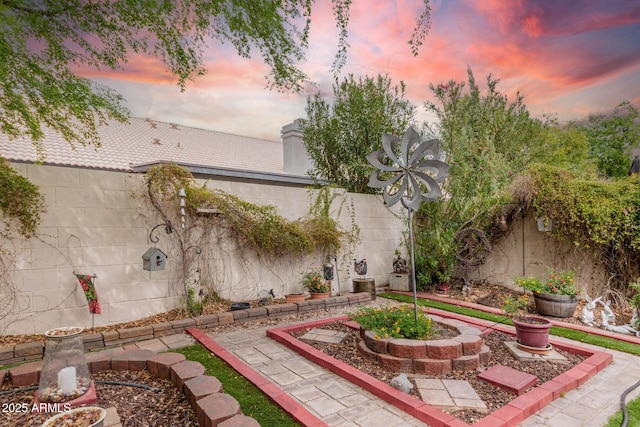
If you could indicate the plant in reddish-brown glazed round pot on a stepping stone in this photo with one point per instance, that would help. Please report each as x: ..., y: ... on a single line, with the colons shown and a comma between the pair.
x: 531, y: 331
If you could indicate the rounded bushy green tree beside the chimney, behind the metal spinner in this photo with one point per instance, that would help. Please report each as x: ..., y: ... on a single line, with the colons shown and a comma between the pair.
x: 338, y: 136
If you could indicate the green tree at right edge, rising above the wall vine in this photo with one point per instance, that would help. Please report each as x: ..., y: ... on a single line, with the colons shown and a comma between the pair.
x: 611, y: 139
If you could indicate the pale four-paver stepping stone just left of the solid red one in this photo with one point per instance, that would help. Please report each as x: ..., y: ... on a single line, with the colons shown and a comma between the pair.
x: 449, y: 394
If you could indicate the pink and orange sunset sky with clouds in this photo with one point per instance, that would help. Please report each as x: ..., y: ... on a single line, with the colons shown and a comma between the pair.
x: 569, y: 58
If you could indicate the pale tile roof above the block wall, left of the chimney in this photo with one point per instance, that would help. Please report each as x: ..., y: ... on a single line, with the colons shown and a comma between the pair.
x: 144, y: 141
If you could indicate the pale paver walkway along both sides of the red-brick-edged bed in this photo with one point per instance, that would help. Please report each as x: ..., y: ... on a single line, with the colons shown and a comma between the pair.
x: 337, y: 402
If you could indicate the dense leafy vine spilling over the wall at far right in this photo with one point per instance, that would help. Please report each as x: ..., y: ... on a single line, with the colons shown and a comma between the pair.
x: 602, y: 217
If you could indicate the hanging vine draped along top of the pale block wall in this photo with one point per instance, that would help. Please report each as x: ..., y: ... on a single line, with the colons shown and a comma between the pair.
x: 254, y: 227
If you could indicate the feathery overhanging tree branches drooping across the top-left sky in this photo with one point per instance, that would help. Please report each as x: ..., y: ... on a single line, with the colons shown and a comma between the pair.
x: 44, y: 42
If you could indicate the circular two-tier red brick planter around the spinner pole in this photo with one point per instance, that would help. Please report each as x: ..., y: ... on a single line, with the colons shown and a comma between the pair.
x: 465, y: 352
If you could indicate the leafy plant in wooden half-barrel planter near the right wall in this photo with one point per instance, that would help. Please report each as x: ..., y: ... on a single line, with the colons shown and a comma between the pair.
x: 555, y: 296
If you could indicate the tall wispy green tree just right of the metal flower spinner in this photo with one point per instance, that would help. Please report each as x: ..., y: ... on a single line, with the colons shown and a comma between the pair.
x: 487, y: 139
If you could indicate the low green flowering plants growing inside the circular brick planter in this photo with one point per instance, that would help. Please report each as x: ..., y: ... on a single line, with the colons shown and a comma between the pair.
x: 394, y: 322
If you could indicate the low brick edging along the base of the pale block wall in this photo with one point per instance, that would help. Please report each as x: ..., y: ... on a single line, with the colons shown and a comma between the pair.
x: 35, y: 350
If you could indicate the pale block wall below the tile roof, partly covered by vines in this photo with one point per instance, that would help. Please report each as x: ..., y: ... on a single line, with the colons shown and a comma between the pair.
x: 94, y: 225
